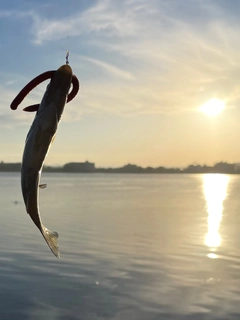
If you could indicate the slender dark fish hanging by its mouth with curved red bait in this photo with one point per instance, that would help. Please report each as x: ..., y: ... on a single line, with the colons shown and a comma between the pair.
x: 40, y: 137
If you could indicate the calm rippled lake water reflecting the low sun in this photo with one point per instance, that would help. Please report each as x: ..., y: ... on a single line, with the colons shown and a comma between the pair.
x: 133, y: 247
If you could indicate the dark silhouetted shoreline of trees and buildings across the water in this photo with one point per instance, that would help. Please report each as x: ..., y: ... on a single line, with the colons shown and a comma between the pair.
x: 88, y: 167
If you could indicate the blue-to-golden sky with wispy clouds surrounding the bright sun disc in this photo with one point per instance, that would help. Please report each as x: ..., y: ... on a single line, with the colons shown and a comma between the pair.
x: 145, y: 67
